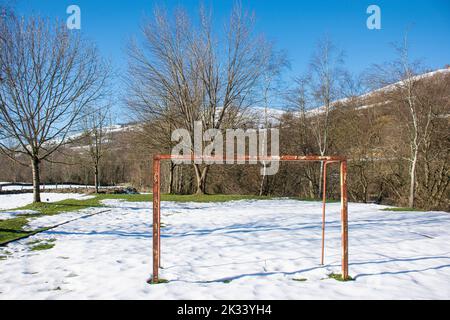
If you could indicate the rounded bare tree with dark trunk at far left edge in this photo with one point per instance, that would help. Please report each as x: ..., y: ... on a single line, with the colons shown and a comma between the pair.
x: 49, y: 76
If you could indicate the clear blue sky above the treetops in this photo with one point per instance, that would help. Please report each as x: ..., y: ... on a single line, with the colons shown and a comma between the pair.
x: 294, y: 25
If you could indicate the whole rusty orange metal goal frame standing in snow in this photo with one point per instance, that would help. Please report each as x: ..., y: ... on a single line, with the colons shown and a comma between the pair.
x: 342, y: 161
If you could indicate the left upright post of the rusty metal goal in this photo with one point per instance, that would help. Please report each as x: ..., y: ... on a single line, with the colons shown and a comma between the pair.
x: 156, y: 218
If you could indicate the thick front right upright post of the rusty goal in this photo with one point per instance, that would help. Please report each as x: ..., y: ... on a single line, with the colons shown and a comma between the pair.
x: 344, y: 220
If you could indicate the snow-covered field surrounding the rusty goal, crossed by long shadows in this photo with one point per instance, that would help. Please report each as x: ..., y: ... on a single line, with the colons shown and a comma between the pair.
x: 261, y: 246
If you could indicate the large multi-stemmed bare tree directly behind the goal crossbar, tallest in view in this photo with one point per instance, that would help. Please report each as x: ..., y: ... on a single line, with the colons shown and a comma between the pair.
x: 194, y: 75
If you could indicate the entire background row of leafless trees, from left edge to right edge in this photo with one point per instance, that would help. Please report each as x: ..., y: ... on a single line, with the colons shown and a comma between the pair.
x: 53, y: 83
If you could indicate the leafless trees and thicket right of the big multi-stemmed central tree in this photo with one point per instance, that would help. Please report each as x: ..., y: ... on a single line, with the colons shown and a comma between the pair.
x: 396, y: 138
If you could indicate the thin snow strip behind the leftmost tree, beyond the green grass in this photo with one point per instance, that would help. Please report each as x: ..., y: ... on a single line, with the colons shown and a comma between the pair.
x: 11, y: 201
